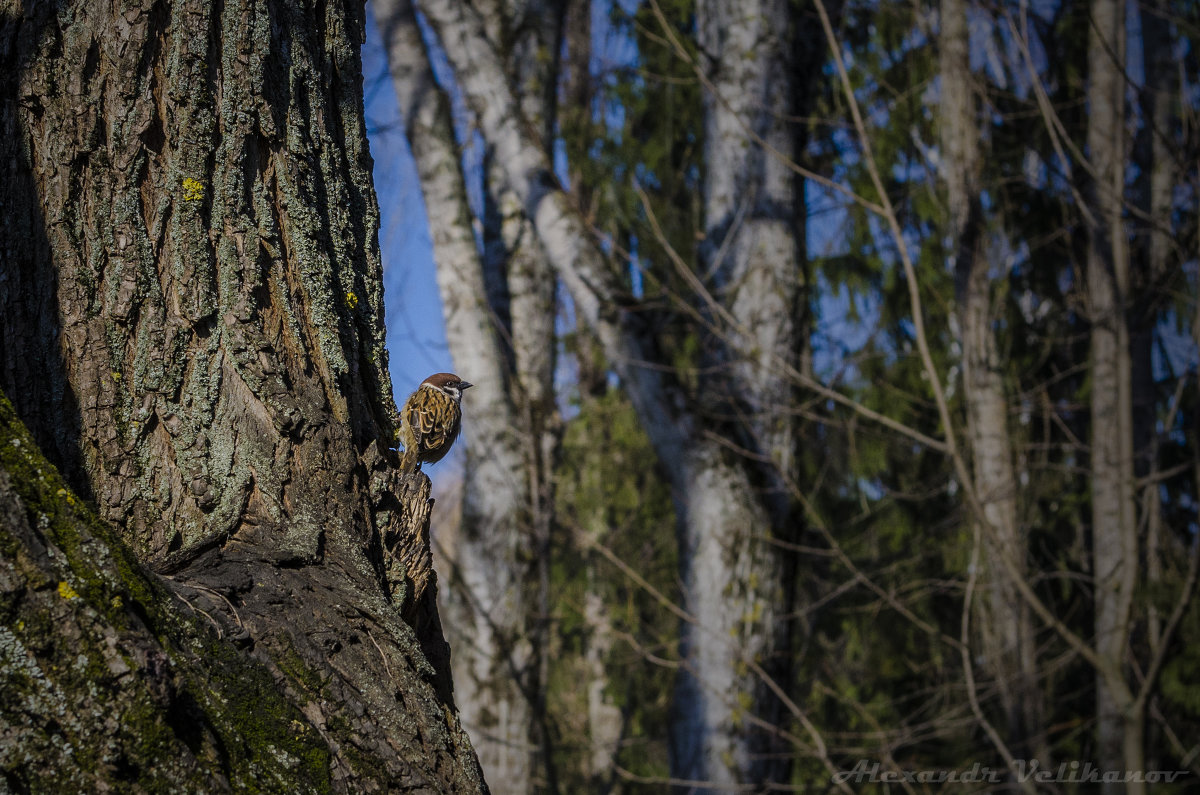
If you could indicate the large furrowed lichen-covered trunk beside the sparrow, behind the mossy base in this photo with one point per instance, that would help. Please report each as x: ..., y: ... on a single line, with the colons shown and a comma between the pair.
x: 193, y: 330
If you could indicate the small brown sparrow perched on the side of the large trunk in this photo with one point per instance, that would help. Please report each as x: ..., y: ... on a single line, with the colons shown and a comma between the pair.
x: 431, y: 420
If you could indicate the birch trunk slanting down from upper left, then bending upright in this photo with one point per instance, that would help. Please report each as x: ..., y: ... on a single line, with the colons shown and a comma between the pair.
x: 724, y: 527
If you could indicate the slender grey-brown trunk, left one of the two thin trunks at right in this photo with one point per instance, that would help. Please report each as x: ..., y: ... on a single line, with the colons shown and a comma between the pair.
x: 1004, y: 623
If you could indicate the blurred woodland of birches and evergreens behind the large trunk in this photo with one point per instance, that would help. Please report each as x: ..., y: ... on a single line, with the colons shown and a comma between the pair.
x: 843, y: 364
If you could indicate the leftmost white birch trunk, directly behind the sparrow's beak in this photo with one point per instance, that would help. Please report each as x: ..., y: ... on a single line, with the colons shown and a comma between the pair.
x: 485, y: 605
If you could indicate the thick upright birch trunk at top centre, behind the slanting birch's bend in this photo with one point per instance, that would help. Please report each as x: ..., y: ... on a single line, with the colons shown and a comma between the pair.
x: 751, y: 202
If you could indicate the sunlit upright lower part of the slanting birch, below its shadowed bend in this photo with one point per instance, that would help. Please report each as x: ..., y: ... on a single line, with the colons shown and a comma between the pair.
x: 733, y: 589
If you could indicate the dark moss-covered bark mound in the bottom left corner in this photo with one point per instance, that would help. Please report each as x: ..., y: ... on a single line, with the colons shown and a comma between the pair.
x: 110, y: 683
